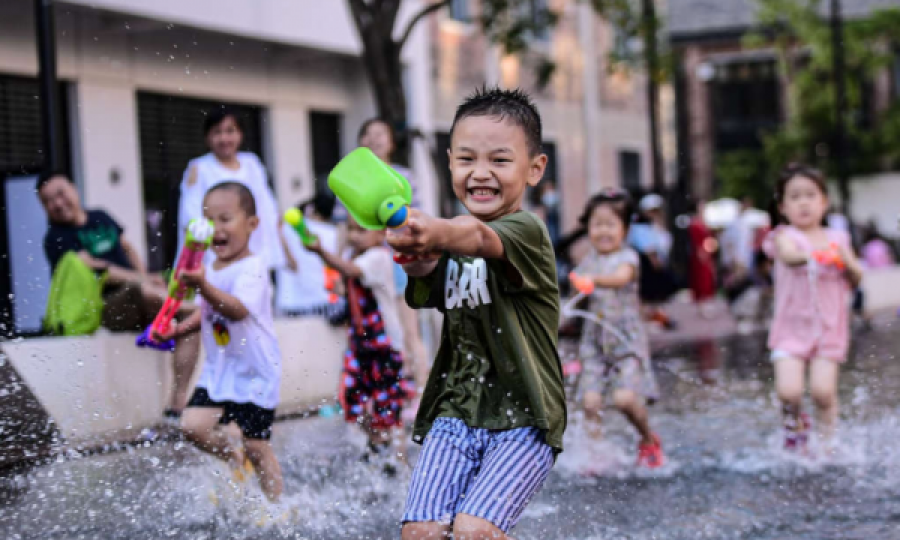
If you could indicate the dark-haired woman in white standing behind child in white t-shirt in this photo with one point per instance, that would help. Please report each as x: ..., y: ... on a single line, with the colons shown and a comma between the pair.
x: 225, y: 162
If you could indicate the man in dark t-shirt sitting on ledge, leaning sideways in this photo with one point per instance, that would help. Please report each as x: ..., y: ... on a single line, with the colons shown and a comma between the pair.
x: 131, y: 296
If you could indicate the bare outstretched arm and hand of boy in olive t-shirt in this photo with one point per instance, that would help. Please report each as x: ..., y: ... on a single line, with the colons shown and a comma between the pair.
x: 464, y: 235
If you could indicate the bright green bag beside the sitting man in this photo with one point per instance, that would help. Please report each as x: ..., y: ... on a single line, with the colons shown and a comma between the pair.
x: 75, y: 302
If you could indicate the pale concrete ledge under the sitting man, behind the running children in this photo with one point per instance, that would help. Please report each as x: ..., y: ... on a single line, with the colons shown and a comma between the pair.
x: 100, y: 387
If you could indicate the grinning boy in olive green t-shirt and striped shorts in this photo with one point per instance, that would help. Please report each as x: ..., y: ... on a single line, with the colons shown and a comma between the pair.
x: 493, y: 413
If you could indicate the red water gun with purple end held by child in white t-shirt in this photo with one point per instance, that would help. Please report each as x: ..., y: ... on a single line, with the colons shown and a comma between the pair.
x: 199, y: 237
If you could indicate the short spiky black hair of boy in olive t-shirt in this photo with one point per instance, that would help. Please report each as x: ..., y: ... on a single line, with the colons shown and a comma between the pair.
x: 512, y: 105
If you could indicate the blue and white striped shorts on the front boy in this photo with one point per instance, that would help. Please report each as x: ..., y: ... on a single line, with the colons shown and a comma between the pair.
x: 489, y: 474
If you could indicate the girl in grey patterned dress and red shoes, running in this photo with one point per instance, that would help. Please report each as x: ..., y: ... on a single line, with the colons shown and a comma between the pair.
x: 616, y: 355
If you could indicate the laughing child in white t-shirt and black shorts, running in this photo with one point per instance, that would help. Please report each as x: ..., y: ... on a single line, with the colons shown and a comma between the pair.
x: 242, y: 372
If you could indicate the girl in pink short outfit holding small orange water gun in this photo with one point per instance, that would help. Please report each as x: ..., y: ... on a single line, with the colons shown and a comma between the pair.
x: 815, y: 272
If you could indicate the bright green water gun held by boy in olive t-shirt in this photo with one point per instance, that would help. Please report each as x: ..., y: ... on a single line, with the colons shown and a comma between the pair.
x: 376, y: 196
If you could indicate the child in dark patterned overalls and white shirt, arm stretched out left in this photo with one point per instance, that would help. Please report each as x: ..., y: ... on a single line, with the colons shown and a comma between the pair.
x: 373, y: 365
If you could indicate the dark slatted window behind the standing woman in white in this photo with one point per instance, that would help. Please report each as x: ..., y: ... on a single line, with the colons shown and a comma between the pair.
x: 171, y: 134
